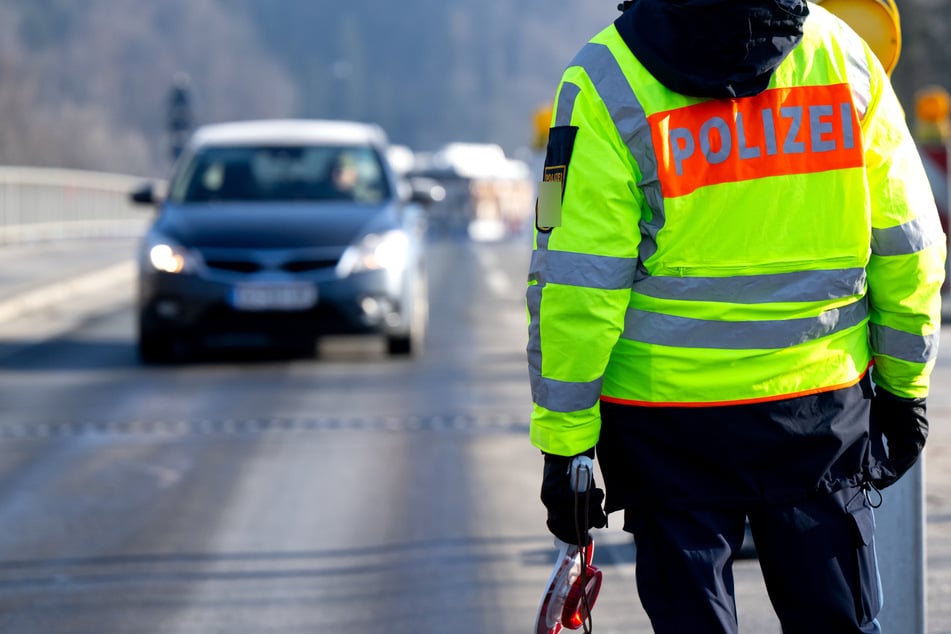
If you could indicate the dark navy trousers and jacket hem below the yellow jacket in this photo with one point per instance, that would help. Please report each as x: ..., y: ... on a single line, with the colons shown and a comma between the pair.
x: 688, y: 479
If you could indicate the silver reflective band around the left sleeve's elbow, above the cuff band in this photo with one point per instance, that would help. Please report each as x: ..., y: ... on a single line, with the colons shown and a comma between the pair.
x: 582, y: 269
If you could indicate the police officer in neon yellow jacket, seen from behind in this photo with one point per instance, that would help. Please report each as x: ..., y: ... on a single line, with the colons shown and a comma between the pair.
x: 733, y: 297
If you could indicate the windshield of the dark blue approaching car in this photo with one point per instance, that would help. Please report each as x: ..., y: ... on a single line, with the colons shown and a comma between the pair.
x: 282, y: 173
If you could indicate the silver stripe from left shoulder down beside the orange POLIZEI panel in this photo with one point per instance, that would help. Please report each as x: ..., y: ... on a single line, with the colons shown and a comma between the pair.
x: 631, y: 122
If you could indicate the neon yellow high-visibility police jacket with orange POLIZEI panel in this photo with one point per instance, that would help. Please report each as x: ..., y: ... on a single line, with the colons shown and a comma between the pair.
x: 714, y: 252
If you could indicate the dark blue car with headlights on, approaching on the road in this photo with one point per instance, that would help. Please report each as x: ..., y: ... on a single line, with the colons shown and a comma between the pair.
x: 278, y: 232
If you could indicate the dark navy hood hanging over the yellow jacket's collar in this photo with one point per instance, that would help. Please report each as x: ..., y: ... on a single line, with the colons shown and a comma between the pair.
x: 712, y: 48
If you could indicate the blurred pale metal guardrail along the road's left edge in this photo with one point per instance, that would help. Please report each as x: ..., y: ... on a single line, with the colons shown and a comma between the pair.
x: 39, y: 204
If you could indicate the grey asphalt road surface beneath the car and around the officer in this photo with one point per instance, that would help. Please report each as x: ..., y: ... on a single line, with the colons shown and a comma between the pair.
x: 351, y: 493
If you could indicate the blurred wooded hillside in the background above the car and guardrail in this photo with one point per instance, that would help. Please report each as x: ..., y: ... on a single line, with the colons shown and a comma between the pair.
x: 86, y: 85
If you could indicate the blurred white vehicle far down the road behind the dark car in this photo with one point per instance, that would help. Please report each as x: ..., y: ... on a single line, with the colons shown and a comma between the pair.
x: 486, y: 195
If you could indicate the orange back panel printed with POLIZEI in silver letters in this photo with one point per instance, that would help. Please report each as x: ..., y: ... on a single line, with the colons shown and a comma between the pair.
x: 781, y: 131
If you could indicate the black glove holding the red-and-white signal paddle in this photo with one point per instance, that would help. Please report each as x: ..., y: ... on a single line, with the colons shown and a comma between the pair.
x: 570, y: 514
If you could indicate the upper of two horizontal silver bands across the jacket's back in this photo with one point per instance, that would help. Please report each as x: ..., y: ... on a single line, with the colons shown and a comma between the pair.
x: 798, y: 286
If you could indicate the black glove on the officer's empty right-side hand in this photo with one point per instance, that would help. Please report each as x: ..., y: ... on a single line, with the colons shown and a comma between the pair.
x: 903, y: 424
